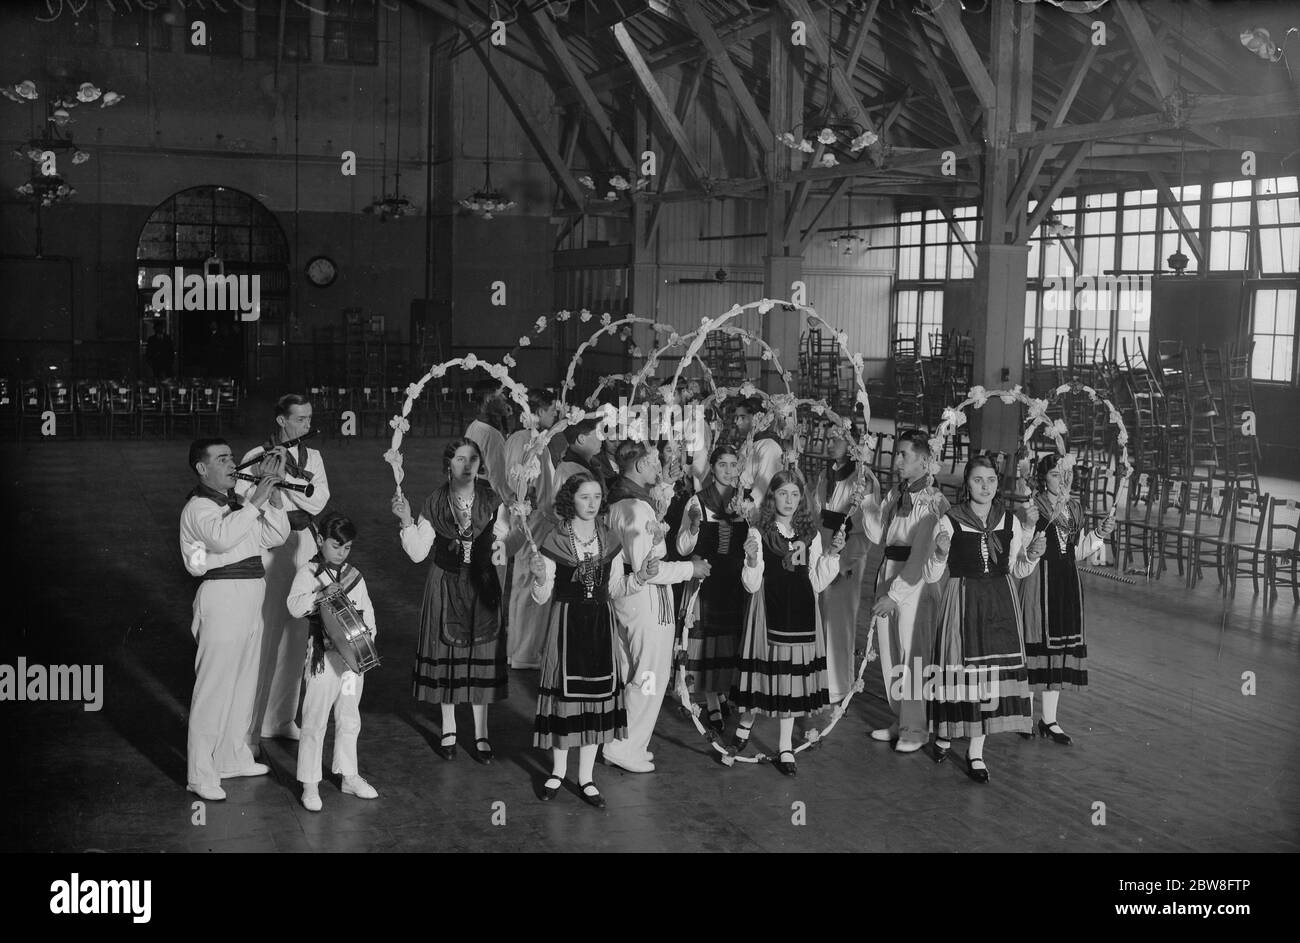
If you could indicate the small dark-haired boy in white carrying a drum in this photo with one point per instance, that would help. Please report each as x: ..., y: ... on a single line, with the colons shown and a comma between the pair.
x: 331, y: 685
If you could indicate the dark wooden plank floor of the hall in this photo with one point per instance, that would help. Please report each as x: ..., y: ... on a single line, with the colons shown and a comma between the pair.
x: 1164, y: 737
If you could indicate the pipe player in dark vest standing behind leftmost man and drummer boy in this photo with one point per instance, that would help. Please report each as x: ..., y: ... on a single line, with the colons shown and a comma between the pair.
x: 285, y: 638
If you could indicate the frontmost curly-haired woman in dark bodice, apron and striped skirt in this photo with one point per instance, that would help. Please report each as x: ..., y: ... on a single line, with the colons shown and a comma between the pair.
x: 580, y: 687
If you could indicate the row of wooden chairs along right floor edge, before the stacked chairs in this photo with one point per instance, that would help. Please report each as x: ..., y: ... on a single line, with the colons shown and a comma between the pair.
x: 1201, y: 525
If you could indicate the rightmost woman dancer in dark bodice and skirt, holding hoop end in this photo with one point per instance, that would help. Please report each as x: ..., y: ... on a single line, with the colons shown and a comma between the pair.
x: 1052, y: 596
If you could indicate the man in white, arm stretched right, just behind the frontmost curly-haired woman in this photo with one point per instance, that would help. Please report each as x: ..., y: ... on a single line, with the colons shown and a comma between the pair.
x: 647, y: 620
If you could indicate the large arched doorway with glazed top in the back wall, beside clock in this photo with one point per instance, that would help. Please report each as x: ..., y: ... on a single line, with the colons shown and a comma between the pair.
x: 206, y: 230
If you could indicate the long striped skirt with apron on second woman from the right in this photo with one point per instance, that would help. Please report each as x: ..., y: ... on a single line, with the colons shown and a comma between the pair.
x: 978, y: 676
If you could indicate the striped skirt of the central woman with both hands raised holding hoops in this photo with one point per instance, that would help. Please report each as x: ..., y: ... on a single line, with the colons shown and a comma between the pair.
x: 779, y: 681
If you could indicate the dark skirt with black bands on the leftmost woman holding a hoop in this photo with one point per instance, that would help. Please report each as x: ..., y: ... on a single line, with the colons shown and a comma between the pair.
x: 456, y: 674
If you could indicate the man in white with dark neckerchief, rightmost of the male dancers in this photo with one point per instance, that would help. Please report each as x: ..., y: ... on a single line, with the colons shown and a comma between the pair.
x: 903, y: 522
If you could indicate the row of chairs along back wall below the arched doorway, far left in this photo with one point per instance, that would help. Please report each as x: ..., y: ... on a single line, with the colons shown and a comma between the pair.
x: 109, y: 408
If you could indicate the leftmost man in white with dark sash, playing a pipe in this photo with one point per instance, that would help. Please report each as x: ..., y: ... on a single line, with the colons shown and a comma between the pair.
x: 223, y: 540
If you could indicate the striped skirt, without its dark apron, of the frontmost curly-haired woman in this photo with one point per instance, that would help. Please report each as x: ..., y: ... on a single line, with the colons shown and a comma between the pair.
x: 564, y: 723
